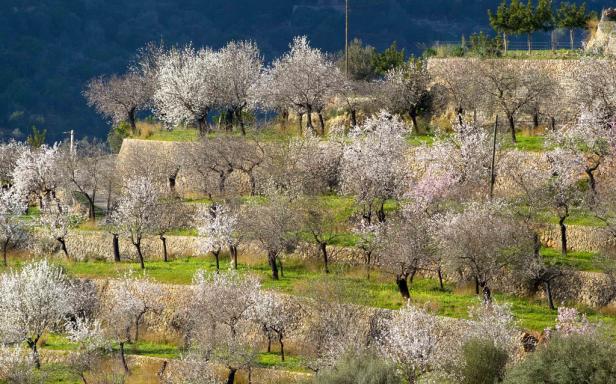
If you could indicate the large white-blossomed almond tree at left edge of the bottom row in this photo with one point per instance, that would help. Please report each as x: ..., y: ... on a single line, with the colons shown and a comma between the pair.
x: 33, y: 301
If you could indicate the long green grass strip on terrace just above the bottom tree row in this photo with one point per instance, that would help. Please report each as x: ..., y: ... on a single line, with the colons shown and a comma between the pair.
x: 306, y: 279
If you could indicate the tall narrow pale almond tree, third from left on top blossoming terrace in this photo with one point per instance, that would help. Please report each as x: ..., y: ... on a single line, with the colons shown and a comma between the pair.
x: 238, y: 69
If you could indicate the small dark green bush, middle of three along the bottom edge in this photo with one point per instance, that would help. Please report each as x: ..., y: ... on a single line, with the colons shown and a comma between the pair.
x: 484, y: 363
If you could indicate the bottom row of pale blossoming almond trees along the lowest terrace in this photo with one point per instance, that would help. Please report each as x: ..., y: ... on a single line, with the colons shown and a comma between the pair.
x: 227, y: 319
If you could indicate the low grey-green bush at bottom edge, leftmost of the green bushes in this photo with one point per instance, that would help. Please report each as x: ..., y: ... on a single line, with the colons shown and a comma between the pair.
x: 365, y: 368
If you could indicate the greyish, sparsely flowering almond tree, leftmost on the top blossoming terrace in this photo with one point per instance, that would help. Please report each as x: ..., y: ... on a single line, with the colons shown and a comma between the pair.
x: 119, y: 98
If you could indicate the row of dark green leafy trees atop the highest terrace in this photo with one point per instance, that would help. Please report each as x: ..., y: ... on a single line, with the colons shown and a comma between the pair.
x: 516, y: 18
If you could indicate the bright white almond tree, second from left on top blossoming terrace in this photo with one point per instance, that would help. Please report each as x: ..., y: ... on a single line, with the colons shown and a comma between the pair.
x: 186, y: 91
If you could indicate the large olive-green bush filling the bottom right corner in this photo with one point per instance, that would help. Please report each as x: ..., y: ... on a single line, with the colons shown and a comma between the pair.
x: 568, y: 360
